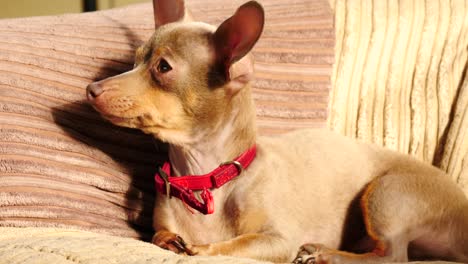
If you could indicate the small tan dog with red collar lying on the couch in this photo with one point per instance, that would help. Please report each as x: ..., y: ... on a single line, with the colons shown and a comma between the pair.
x: 191, y: 88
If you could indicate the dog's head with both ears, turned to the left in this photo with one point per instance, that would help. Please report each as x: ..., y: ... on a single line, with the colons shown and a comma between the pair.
x: 185, y: 77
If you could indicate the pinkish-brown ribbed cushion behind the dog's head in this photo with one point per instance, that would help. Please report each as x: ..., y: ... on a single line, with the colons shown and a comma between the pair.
x: 61, y: 165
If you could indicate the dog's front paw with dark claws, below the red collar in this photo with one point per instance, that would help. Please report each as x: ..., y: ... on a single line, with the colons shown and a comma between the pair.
x: 173, y: 242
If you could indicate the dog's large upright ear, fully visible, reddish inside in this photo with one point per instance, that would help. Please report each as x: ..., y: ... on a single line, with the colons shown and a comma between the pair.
x: 234, y: 38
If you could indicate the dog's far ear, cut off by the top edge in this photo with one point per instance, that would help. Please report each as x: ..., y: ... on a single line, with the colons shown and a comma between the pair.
x: 167, y: 11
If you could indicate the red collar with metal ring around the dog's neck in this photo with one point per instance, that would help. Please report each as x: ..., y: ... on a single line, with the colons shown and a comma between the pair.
x: 182, y: 187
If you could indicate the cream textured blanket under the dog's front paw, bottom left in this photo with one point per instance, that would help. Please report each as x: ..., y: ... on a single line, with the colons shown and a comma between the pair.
x: 60, y: 246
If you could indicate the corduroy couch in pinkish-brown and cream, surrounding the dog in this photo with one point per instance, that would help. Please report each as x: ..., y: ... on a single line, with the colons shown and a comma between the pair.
x: 74, y: 188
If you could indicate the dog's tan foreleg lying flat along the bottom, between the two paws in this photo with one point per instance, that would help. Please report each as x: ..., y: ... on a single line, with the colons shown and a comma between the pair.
x: 258, y: 246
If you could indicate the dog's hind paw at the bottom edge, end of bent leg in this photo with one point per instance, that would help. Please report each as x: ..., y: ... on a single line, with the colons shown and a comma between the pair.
x: 315, y: 254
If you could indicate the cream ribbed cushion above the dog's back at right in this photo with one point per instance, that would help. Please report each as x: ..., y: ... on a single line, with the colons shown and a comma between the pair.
x: 399, y: 78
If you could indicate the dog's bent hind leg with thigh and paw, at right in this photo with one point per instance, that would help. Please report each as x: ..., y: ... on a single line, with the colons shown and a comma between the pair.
x: 428, y: 212
